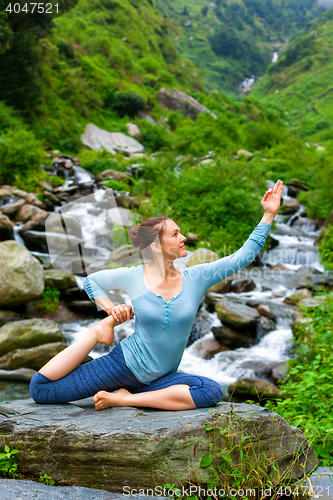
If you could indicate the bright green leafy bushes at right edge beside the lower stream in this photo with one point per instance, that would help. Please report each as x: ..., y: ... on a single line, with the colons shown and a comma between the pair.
x: 309, y: 381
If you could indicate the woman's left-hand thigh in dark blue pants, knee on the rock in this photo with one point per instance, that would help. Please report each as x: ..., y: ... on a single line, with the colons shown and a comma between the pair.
x: 108, y: 372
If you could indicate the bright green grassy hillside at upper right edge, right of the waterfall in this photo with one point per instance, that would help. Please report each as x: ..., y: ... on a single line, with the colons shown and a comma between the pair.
x: 302, y: 82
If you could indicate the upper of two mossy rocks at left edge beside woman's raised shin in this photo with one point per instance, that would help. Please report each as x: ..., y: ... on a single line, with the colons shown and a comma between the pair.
x: 28, y: 333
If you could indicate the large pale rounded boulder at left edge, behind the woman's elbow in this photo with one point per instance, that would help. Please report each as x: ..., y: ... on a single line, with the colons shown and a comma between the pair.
x: 22, y: 275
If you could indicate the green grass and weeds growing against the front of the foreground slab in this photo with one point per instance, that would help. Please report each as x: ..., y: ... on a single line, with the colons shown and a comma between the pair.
x: 233, y: 453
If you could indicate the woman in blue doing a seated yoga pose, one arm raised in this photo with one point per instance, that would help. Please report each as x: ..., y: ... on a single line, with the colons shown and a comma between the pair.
x: 142, y: 368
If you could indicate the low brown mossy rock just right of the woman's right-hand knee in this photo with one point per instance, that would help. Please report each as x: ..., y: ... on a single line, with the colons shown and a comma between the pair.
x: 254, y: 388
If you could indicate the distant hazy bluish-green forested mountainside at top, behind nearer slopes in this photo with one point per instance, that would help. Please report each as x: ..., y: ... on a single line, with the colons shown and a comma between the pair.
x: 235, y: 39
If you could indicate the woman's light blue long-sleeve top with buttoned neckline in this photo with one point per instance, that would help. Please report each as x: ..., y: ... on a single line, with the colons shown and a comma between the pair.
x: 162, y: 328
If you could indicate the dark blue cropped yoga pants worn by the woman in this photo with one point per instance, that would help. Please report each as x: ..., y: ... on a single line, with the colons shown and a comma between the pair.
x: 109, y: 373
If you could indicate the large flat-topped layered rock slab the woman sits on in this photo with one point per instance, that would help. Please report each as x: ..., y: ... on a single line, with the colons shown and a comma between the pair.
x: 142, y: 447
